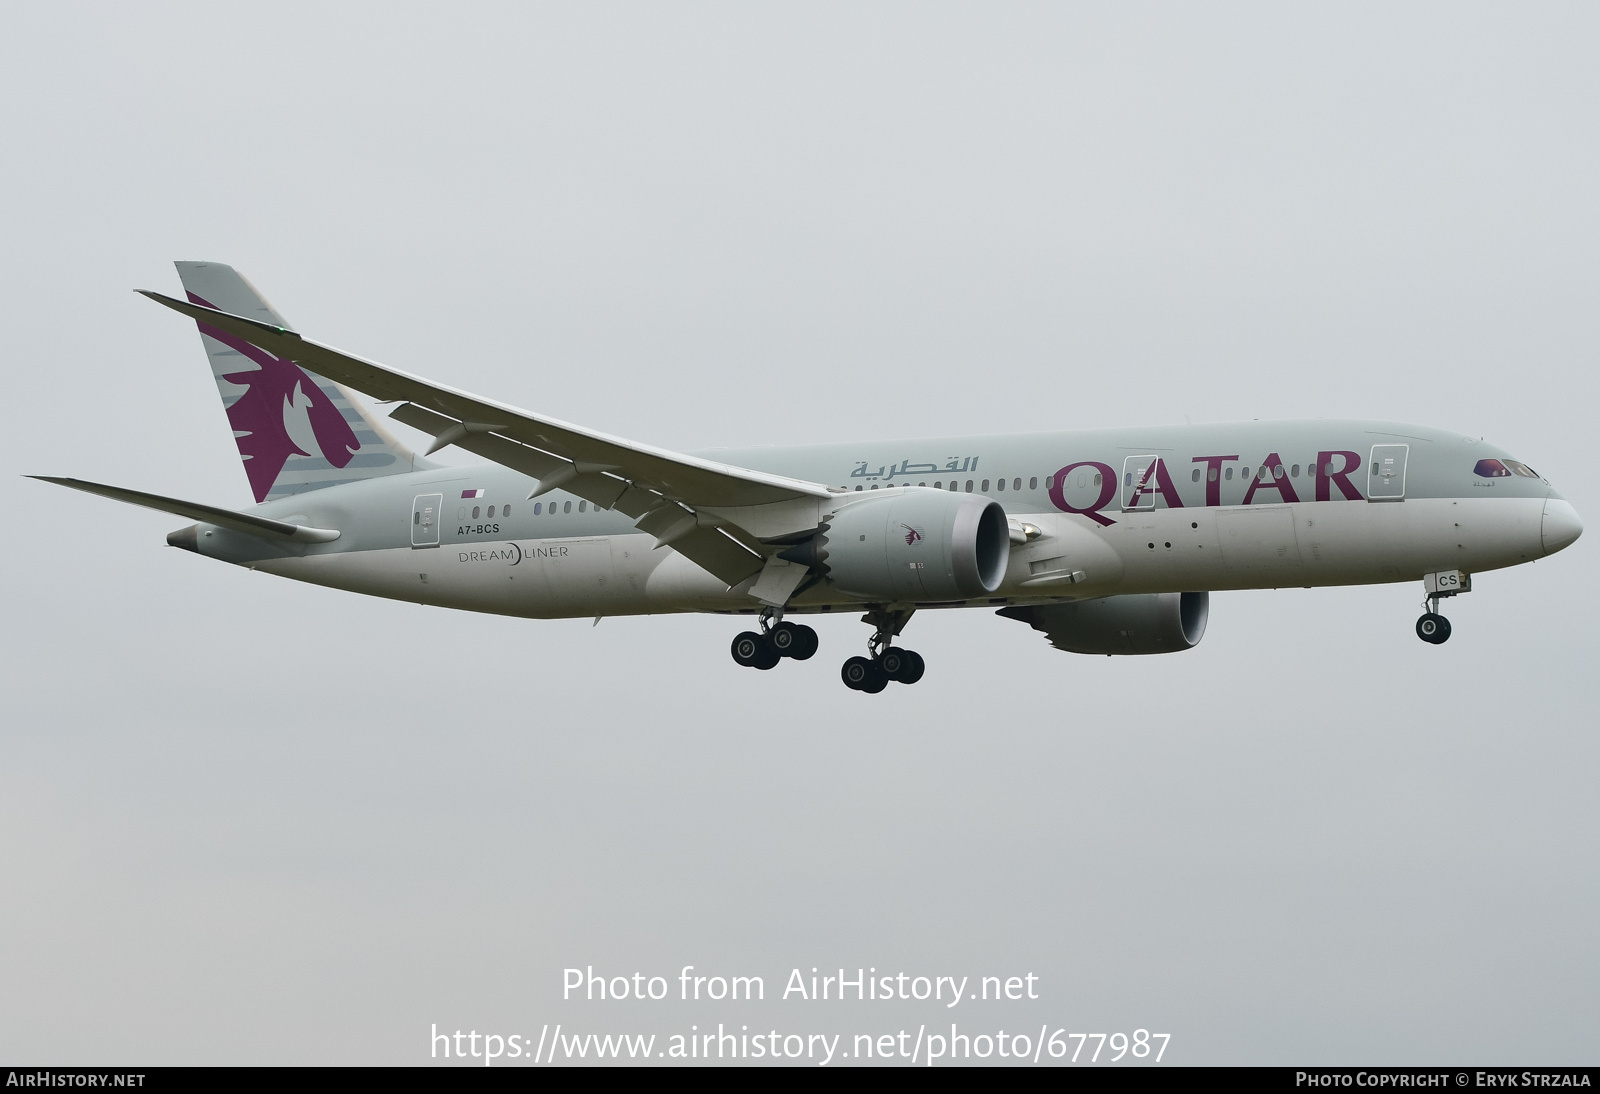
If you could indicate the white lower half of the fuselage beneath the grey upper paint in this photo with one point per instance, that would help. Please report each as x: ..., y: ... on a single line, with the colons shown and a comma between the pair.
x: 1167, y: 551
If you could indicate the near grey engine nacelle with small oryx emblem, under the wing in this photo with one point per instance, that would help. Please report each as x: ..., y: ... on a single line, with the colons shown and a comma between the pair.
x: 913, y: 546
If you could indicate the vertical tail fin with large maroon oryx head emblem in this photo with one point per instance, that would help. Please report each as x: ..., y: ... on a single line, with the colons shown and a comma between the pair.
x: 295, y: 431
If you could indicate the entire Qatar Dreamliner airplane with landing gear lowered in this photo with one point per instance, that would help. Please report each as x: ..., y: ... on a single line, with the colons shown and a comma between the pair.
x: 1108, y: 541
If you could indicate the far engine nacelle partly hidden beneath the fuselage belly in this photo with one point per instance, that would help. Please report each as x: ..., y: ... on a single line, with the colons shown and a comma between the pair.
x: 1129, y: 625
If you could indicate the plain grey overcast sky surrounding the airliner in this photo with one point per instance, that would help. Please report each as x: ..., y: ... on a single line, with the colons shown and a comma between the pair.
x: 1310, y: 840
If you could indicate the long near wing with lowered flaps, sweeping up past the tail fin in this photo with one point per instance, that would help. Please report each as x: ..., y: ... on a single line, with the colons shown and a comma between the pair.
x: 662, y: 490
